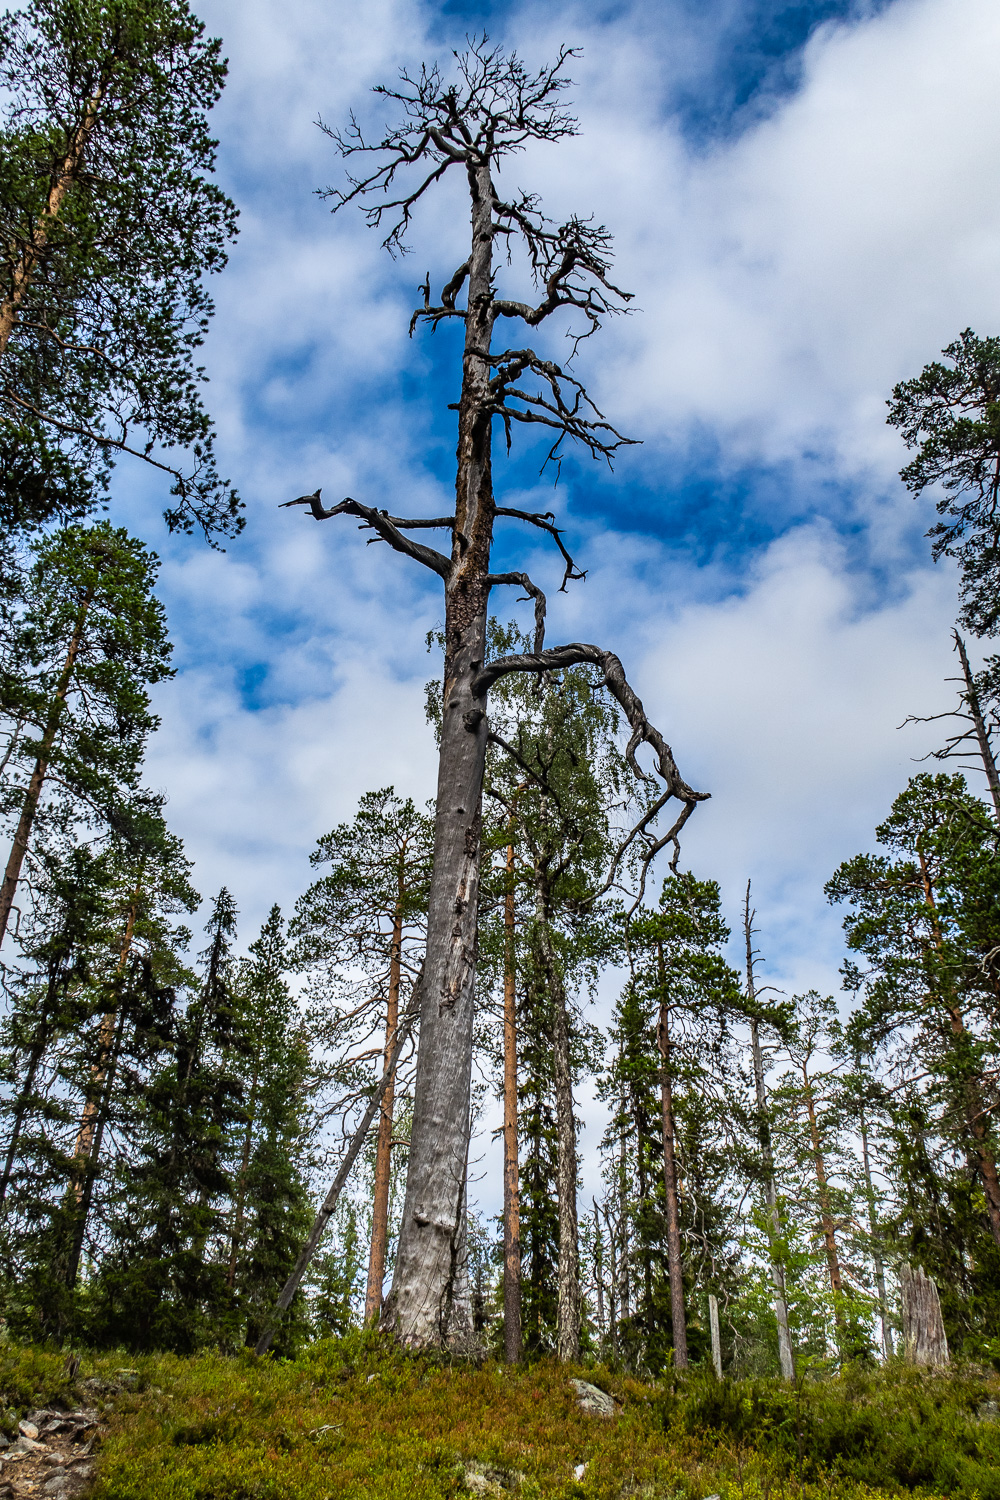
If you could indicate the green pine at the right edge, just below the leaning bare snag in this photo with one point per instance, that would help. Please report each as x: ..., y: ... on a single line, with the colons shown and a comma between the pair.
x: 924, y: 920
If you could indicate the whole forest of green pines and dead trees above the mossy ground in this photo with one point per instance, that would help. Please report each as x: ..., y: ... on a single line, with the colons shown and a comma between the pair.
x: 794, y: 1189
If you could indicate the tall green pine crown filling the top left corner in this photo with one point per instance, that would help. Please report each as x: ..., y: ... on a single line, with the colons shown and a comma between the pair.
x: 110, y: 224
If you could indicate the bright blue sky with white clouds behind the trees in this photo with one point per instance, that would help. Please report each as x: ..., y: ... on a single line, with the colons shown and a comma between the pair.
x: 806, y: 205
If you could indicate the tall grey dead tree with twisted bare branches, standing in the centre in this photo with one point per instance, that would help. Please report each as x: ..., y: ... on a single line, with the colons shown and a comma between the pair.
x: 491, y: 109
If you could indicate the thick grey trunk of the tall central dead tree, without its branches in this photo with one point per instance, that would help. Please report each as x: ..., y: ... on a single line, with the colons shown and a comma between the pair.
x: 425, y: 1309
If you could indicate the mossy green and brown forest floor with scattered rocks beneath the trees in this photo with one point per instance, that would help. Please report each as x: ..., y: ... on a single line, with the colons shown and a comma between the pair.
x: 350, y: 1418
